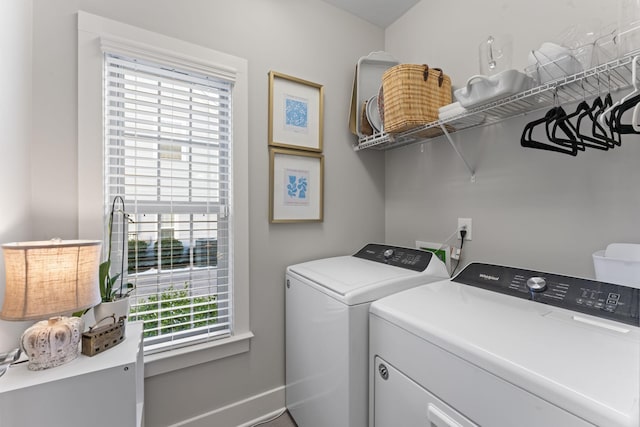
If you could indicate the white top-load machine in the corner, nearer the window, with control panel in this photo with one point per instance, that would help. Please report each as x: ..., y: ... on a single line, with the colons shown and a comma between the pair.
x: 327, y: 315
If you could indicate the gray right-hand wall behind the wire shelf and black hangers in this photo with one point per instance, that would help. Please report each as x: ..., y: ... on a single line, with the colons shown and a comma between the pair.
x: 529, y: 208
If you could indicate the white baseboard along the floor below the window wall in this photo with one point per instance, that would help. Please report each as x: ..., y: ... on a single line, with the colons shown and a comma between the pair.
x: 243, y: 413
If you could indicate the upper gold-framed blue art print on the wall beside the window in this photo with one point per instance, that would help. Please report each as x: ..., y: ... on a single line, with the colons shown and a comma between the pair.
x: 296, y: 113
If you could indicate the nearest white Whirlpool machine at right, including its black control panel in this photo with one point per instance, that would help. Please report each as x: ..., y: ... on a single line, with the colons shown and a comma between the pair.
x: 506, y: 347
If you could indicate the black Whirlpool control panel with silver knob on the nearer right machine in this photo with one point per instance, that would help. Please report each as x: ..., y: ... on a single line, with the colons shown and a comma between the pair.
x: 605, y: 300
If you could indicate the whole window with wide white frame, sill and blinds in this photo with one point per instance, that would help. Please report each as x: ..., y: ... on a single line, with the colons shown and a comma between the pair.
x: 190, y: 228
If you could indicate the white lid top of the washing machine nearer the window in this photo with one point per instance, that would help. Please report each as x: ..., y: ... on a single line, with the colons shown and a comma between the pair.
x: 354, y: 280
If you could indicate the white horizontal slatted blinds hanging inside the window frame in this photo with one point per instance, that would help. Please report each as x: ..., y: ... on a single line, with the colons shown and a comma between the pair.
x: 168, y: 155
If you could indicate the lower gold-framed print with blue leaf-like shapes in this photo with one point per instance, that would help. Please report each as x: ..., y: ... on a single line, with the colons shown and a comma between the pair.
x: 296, y: 186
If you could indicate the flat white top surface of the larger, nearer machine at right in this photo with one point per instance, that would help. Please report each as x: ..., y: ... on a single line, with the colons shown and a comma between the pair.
x: 583, y: 364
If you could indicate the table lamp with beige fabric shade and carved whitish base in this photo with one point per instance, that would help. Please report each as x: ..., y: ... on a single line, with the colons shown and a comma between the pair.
x: 50, y: 279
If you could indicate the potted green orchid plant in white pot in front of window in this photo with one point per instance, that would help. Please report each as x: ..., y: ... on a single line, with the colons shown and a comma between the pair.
x: 114, y: 295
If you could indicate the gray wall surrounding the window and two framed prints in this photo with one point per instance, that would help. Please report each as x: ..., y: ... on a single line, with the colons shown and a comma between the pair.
x: 307, y: 39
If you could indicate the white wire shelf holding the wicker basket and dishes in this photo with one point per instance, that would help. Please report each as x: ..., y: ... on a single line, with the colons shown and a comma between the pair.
x: 609, y: 77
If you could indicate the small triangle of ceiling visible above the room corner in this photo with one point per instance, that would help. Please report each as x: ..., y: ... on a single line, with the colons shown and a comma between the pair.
x: 379, y: 12
